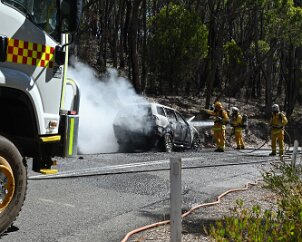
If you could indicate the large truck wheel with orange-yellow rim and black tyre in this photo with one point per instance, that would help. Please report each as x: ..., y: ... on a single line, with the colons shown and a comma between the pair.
x: 13, y: 183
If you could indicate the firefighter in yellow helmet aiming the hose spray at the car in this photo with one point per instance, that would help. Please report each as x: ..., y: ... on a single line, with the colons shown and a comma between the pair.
x: 220, y: 120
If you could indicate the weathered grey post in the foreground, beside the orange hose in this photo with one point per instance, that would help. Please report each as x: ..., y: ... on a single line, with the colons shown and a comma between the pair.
x: 175, y: 199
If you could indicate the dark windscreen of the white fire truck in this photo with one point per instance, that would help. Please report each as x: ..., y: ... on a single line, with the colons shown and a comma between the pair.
x: 43, y: 13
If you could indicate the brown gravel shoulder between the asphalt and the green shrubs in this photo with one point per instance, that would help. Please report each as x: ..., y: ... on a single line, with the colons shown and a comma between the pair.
x: 193, y: 224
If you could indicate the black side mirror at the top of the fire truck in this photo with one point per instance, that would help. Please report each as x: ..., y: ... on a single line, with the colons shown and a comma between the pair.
x: 71, y: 12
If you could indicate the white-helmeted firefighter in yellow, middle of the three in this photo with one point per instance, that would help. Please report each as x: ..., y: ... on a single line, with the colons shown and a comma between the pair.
x: 237, y: 124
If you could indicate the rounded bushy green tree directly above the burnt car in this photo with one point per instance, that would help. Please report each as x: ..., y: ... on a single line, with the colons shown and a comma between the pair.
x: 177, y: 43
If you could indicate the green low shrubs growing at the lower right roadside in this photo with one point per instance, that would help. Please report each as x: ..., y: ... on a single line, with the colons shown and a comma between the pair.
x: 256, y: 225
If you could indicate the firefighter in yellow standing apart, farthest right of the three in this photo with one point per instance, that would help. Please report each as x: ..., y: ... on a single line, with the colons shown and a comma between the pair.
x: 277, y: 124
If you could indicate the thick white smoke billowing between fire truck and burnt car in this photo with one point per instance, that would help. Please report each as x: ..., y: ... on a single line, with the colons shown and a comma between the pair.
x: 100, y: 101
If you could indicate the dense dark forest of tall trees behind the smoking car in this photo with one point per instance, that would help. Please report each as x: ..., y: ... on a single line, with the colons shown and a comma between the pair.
x: 188, y: 53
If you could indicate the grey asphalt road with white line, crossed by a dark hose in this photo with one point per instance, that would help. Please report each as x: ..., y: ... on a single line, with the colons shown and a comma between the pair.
x: 102, y: 197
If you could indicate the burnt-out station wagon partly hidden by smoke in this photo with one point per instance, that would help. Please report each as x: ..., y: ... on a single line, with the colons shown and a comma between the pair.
x: 152, y: 125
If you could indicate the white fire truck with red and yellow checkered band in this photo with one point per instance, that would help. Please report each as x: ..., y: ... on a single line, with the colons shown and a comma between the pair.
x: 36, y: 124
